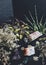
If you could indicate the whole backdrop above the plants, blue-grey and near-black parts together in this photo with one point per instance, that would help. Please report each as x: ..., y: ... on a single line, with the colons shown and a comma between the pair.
x: 19, y: 8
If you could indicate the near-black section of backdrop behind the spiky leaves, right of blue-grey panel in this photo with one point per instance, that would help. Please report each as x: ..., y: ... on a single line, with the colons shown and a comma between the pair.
x: 21, y: 7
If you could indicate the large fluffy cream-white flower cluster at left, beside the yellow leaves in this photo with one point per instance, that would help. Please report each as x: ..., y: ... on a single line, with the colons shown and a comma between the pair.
x: 7, y: 35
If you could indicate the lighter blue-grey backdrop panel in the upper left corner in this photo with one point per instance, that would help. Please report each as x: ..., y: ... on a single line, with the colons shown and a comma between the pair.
x: 6, y: 10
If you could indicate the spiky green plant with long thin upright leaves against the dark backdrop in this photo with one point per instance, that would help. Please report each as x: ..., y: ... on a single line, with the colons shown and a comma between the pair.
x: 36, y: 25
